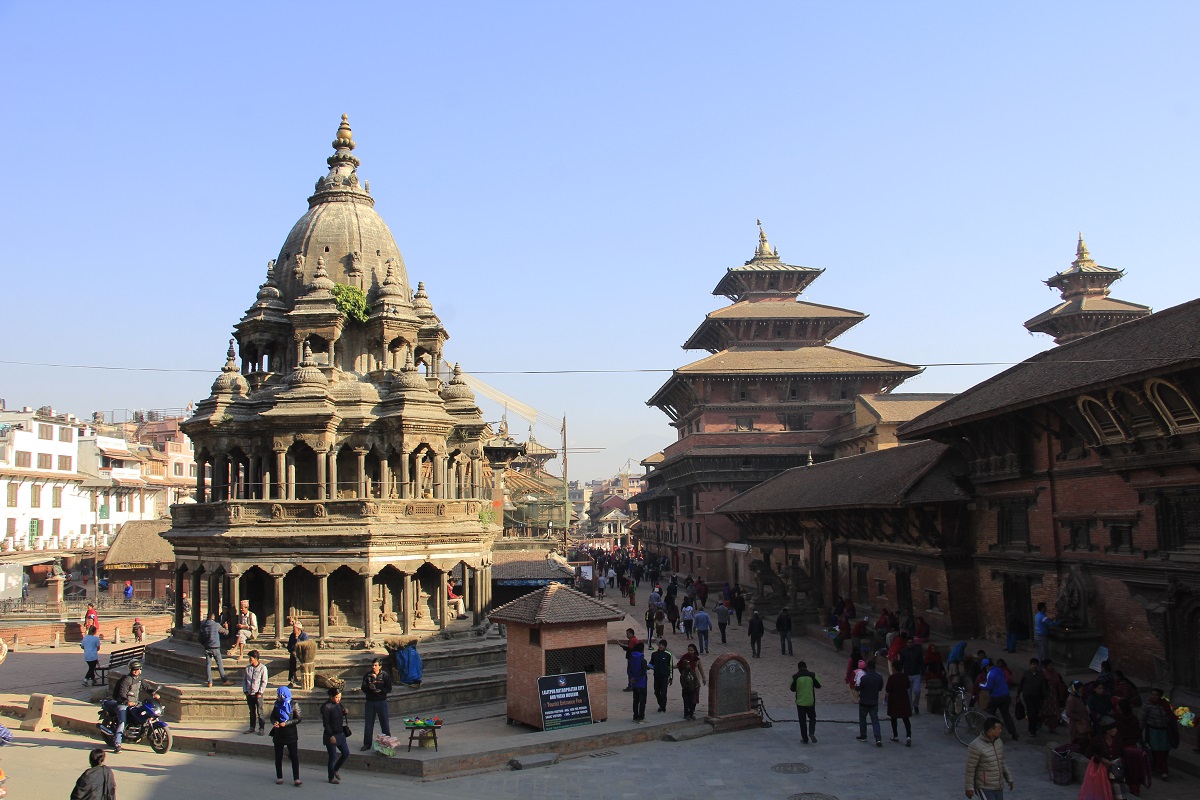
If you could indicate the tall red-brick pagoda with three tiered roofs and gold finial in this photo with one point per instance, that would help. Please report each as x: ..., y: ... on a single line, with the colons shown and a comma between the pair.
x: 765, y: 401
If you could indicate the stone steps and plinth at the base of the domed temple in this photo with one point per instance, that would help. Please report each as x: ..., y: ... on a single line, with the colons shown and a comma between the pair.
x: 458, y: 672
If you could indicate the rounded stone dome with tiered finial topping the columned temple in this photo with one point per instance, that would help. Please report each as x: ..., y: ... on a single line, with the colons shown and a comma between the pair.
x: 343, y: 227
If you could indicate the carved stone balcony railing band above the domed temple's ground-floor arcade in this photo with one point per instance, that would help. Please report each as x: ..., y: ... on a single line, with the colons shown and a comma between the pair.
x: 253, y: 513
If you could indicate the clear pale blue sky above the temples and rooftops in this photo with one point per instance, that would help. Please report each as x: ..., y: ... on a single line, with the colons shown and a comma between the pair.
x: 572, y: 179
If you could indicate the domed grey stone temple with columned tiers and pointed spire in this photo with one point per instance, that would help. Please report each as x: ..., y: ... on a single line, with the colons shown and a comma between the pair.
x: 347, y: 473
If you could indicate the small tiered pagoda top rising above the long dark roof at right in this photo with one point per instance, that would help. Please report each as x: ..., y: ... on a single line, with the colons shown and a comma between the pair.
x: 1087, y: 306
